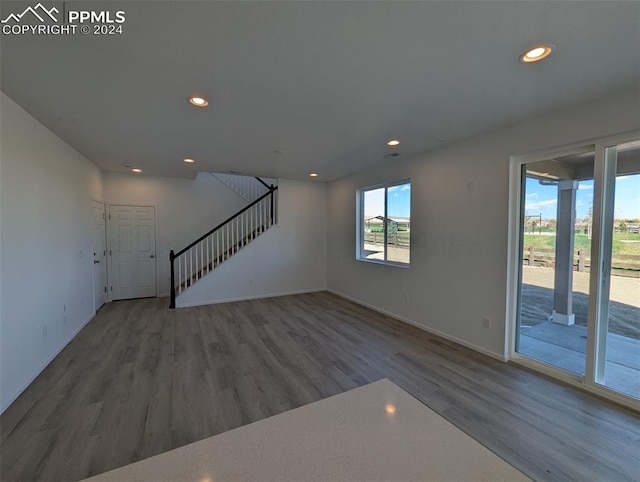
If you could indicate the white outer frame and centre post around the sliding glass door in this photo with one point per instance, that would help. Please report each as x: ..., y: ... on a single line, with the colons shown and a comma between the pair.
x: 586, y: 382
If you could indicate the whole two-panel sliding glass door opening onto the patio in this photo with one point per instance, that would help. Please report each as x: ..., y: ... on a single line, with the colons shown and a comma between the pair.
x: 577, y: 304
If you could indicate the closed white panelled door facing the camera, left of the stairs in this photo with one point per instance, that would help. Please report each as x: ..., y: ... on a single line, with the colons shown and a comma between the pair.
x: 133, y: 251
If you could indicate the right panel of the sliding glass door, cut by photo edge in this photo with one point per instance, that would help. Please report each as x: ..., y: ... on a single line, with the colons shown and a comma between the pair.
x: 617, y: 324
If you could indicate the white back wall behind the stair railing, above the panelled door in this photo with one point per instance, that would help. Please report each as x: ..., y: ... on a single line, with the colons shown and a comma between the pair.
x: 185, y: 209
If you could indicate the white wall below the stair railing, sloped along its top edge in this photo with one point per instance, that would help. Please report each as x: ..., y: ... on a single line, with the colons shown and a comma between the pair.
x: 289, y: 258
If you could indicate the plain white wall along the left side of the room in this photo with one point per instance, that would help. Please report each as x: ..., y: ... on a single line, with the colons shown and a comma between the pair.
x: 46, y: 261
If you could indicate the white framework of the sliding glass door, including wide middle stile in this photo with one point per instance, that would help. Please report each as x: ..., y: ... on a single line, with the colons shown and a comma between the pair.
x: 604, y: 178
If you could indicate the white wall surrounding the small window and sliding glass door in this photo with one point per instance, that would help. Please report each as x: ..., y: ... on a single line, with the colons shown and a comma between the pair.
x: 458, y: 236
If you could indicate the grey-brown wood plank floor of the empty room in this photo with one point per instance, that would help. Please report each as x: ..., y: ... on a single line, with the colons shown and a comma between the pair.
x: 141, y: 379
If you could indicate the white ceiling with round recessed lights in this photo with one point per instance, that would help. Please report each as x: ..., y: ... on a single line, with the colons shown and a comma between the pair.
x: 328, y: 83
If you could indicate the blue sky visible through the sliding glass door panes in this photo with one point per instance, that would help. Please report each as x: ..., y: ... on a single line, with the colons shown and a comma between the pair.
x: 541, y: 199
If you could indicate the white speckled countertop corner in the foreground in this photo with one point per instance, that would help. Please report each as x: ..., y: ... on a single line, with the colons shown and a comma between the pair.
x: 375, y: 432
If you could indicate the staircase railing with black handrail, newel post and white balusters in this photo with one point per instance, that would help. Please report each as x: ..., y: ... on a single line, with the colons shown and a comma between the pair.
x: 213, y: 248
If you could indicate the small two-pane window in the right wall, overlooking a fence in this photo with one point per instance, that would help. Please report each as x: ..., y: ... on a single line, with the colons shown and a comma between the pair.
x: 384, y: 223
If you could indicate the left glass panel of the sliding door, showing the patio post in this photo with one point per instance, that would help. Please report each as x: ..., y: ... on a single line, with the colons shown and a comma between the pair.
x: 557, y: 198
